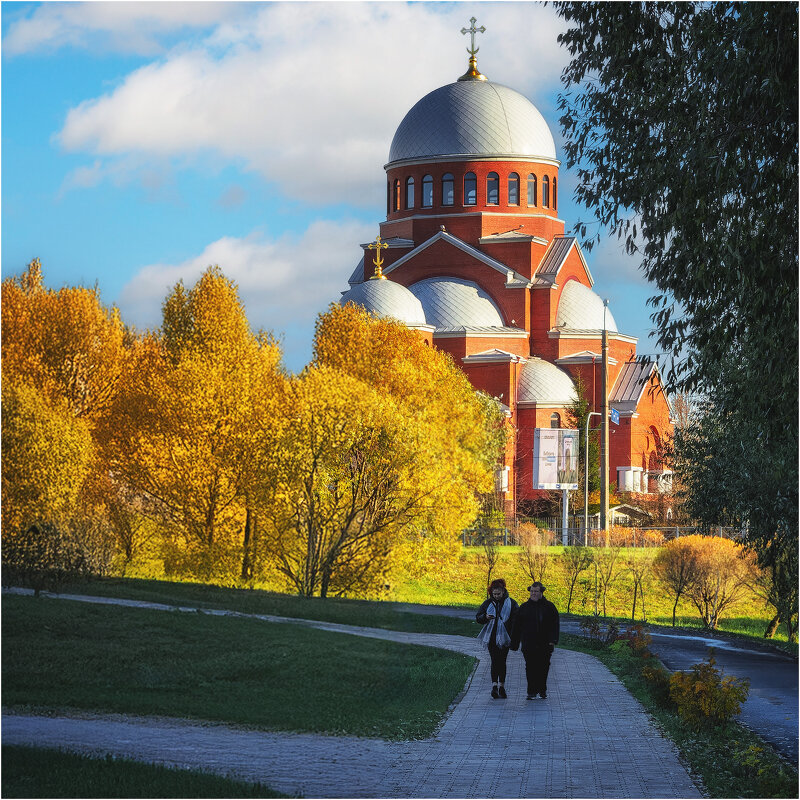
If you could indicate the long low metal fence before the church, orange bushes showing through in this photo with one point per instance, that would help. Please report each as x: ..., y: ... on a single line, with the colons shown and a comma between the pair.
x: 550, y: 532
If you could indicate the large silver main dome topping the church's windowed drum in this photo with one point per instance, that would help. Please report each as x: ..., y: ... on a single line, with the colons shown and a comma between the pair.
x: 473, y: 118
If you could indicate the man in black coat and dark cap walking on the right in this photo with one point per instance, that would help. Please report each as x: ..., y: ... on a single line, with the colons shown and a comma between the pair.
x: 536, y: 629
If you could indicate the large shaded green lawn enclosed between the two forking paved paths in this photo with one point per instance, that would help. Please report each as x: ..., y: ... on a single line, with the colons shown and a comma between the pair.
x: 60, y: 654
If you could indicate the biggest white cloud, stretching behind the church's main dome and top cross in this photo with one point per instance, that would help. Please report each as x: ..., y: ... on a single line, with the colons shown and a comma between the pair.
x: 309, y: 94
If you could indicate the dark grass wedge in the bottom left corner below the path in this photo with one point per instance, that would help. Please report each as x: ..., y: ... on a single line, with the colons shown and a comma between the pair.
x: 45, y: 772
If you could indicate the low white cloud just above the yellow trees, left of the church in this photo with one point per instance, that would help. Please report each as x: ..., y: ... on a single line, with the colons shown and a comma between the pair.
x: 284, y: 283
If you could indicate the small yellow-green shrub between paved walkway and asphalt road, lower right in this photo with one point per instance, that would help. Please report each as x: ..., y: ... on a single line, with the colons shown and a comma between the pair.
x: 704, y: 698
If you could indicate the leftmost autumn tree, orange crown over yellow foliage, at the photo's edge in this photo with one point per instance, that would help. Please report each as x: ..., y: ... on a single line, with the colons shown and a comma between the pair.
x: 63, y: 353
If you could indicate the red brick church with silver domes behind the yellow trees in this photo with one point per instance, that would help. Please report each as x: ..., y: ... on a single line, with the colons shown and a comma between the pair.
x: 476, y: 259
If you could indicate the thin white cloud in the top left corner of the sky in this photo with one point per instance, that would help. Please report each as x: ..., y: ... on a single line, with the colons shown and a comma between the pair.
x: 126, y: 27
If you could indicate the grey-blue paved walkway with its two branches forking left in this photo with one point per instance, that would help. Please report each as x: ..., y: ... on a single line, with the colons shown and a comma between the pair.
x: 589, y: 739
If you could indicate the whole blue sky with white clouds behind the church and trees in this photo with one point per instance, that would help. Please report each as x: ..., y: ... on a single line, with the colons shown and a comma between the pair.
x: 143, y: 141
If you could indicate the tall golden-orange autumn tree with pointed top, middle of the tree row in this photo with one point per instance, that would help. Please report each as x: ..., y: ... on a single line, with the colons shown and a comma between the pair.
x: 190, y: 424
